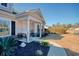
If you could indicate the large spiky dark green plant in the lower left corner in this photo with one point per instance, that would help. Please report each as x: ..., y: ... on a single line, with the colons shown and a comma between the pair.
x: 7, y: 46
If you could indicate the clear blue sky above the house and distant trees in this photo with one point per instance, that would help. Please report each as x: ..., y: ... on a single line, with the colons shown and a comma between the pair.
x: 53, y: 12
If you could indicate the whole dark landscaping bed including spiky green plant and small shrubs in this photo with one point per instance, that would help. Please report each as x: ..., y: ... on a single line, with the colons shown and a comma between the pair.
x: 11, y: 47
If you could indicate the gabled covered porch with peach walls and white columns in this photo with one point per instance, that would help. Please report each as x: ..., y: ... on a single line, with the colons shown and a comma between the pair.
x: 30, y: 25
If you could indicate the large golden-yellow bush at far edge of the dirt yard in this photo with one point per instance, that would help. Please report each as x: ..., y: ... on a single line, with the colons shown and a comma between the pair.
x: 60, y: 29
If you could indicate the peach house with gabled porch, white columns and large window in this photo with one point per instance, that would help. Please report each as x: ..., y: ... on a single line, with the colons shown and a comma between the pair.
x: 27, y: 22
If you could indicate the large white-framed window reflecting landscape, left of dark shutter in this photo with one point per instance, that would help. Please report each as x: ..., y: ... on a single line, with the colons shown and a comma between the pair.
x: 4, y: 27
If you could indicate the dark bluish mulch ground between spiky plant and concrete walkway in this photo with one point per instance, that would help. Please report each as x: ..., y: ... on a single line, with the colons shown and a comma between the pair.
x: 30, y: 49
